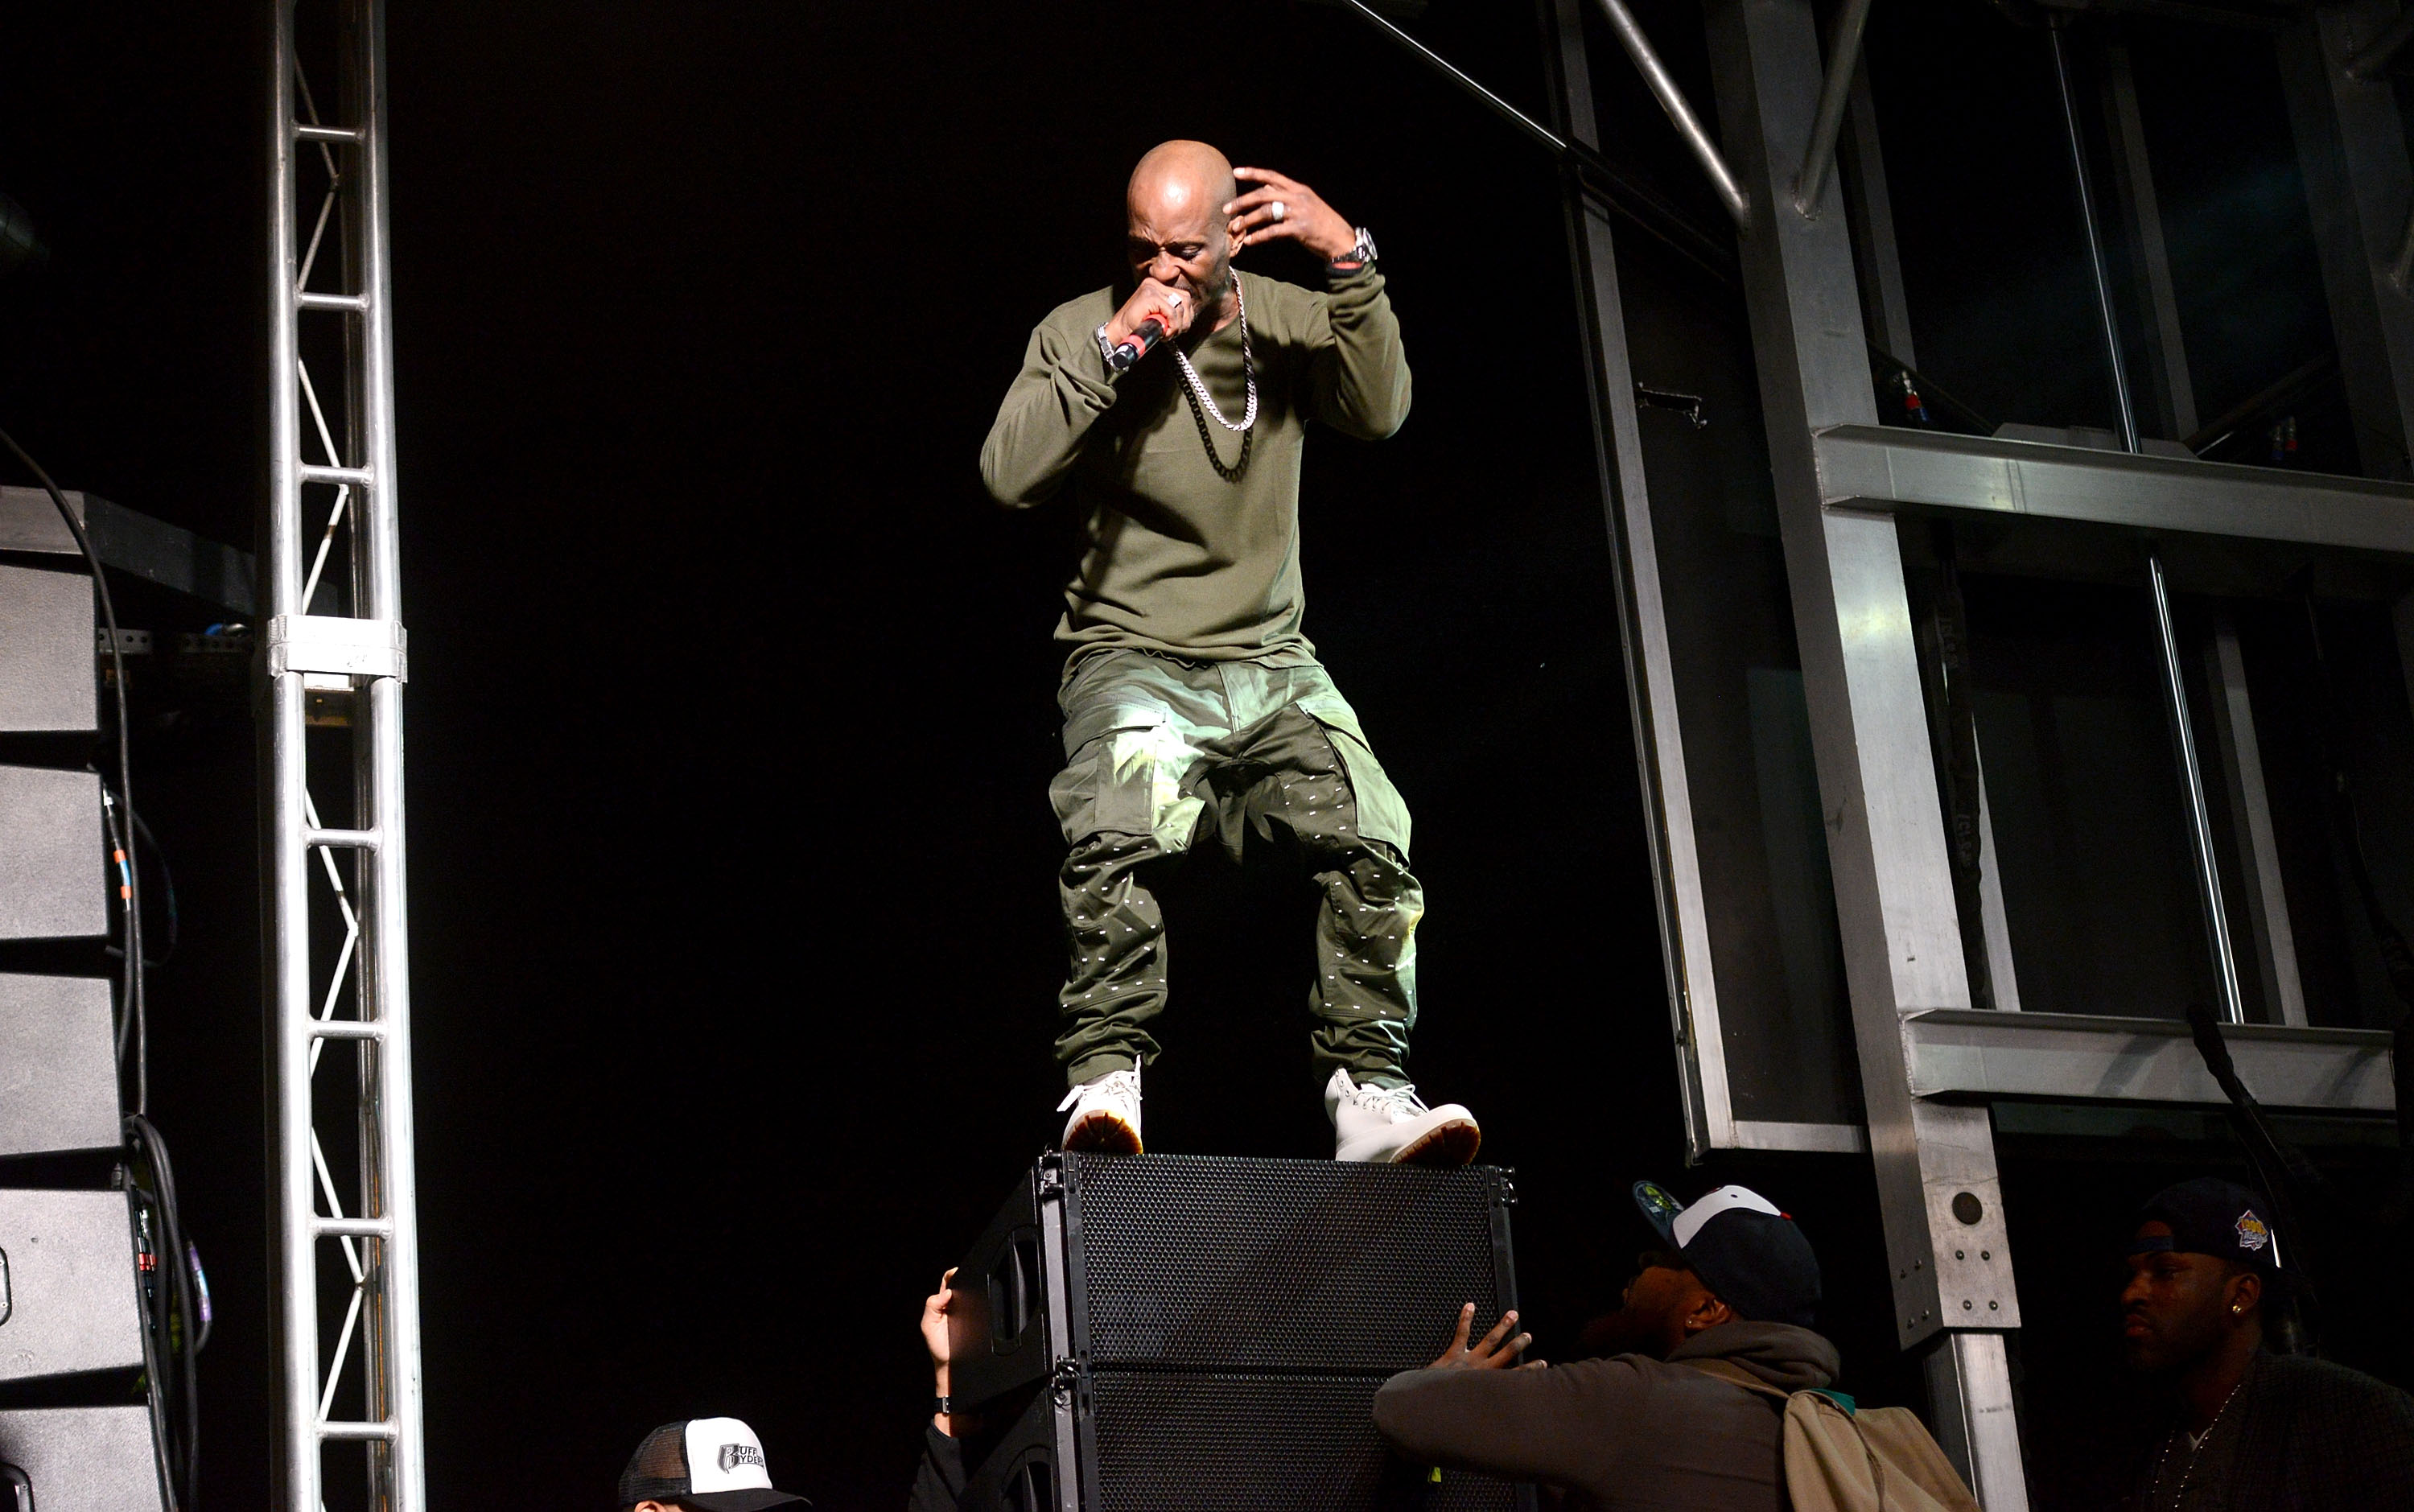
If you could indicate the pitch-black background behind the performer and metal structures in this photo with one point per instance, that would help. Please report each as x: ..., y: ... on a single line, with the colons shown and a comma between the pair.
x: 730, y: 716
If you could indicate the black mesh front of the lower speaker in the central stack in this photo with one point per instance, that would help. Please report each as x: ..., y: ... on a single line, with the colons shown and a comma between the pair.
x: 1237, y: 1443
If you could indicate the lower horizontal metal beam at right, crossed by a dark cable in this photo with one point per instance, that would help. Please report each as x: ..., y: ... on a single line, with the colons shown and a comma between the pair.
x: 2082, y: 1059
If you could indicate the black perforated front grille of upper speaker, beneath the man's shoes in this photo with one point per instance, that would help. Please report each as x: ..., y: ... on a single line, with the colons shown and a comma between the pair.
x: 1281, y: 1264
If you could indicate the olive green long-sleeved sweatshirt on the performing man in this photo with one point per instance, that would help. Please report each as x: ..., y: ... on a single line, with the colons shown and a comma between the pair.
x: 1177, y: 557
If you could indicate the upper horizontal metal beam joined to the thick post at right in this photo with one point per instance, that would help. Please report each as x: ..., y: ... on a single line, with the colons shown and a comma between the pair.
x: 1879, y: 467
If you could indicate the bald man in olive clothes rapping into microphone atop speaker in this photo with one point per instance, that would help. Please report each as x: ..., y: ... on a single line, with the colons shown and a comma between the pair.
x: 1196, y: 711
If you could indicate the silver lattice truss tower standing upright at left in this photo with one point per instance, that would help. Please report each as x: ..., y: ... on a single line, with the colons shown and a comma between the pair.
x: 337, y: 902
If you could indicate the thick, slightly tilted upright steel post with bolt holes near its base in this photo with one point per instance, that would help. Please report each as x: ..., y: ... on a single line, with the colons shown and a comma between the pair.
x: 1870, y: 731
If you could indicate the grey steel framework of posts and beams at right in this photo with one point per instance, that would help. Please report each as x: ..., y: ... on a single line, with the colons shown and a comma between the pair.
x: 1932, y: 1052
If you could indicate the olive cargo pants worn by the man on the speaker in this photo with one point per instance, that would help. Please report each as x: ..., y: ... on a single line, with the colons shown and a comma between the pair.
x: 1162, y: 752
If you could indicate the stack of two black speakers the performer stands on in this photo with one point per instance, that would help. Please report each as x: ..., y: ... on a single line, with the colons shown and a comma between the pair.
x: 1172, y: 1332
